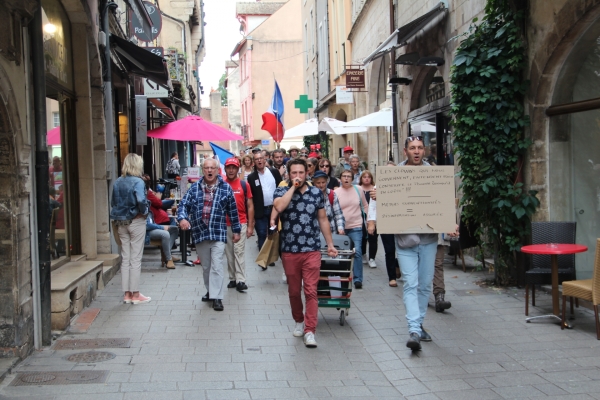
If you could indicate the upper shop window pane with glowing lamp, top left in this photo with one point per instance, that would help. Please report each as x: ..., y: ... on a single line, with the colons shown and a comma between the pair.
x: 56, y: 29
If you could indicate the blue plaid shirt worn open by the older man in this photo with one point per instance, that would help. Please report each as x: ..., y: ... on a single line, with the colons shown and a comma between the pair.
x: 192, y: 206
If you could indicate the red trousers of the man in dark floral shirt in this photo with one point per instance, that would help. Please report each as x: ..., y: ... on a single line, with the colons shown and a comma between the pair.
x: 303, y: 267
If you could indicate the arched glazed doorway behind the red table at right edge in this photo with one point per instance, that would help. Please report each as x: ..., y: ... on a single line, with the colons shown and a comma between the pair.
x: 573, y: 143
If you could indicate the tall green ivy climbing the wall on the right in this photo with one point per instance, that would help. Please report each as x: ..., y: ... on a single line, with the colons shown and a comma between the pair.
x: 489, y: 120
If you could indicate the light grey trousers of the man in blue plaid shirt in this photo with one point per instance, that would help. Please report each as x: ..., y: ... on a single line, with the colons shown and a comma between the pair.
x: 211, y: 254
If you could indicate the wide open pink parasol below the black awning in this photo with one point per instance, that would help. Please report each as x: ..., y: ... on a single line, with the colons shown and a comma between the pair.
x: 193, y: 129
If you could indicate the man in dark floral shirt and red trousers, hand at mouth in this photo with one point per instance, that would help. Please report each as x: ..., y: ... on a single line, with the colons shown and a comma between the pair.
x: 303, y: 217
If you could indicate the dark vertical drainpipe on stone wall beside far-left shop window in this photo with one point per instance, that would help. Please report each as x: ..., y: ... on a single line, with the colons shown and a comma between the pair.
x: 41, y: 176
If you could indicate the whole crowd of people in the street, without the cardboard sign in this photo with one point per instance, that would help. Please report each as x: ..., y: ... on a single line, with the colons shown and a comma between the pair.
x: 301, y: 194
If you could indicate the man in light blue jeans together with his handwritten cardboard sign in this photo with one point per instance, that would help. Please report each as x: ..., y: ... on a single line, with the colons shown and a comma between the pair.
x: 420, y: 204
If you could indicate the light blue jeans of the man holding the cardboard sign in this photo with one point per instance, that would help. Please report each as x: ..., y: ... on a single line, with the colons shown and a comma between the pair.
x: 417, y: 264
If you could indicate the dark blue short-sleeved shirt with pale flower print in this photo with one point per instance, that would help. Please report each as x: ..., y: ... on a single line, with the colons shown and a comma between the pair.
x: 299, y: 221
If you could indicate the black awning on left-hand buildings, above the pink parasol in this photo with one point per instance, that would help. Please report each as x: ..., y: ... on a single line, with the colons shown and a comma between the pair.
x: 139, y: 61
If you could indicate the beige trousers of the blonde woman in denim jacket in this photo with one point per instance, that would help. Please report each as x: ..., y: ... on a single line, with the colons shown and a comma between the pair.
x: 132, y: 248
